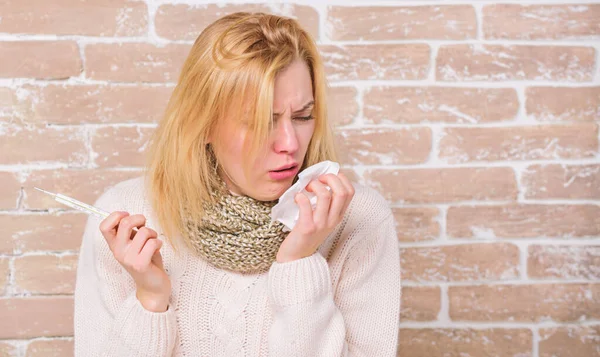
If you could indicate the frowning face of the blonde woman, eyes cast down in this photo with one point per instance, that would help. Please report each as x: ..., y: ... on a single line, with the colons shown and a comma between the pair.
x: 292, y: 130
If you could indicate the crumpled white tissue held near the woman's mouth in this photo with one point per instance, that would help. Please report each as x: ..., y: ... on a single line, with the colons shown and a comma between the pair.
x: 286, y: 210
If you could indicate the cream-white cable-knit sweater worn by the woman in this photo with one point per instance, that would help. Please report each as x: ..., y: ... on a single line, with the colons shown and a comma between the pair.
x: 343, y: 300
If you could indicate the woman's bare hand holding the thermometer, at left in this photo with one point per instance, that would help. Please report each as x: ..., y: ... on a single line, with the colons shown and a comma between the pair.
x: 139, y: 253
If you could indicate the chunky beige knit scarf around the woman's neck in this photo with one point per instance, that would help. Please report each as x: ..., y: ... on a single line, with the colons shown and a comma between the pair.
x: 236, y: 233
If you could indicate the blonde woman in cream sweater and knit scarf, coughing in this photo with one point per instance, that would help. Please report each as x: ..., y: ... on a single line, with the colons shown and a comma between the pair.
x: 247, y: 115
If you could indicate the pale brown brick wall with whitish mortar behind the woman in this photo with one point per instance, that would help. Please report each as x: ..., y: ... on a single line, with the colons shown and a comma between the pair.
x: 477, y: 120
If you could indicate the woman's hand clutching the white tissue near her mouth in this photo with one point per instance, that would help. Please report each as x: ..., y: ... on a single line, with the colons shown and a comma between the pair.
x: 314, y: 226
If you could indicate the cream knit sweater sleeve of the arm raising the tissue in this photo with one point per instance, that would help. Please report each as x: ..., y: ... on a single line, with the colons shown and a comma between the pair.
x: 359, y: 318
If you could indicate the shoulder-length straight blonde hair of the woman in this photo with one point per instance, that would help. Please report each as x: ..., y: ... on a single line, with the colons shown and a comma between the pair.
x: 231, y: 66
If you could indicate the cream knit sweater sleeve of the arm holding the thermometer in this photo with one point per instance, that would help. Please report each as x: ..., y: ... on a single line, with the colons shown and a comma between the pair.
x: 109, y: 320
